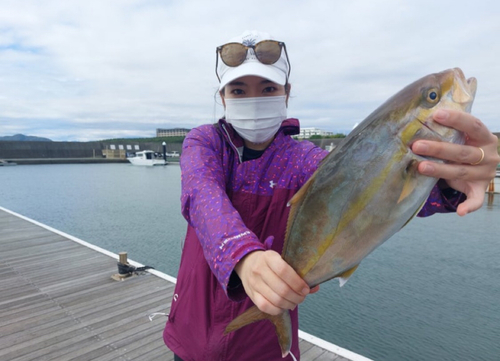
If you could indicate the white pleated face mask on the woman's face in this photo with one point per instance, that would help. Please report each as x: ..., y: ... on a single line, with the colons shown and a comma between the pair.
x: 256, y: 119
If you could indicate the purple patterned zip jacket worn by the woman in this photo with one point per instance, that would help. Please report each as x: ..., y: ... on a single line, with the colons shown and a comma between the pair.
x: 231, y: 208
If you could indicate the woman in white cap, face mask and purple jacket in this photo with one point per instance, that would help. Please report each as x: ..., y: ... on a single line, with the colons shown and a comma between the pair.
x: 237, y: 177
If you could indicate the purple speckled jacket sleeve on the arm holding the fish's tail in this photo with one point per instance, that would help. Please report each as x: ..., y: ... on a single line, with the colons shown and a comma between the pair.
x: 206, y: 206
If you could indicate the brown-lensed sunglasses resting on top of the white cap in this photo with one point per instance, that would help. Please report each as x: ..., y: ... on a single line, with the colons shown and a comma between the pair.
x: 266, y: 51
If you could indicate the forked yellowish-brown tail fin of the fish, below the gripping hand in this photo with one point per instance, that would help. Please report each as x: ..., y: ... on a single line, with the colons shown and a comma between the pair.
x: 282, y: 324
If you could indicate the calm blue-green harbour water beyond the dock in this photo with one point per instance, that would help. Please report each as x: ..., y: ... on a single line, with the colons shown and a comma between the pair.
x: 432, y: 292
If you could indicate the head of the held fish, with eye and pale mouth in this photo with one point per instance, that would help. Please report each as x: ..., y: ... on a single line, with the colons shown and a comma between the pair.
x: 449, y: 89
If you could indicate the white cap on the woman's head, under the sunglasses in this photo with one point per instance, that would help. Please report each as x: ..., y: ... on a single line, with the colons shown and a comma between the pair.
x: 276, y: 72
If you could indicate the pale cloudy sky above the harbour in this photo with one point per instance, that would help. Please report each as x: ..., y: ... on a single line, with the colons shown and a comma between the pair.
x: 83, y: 70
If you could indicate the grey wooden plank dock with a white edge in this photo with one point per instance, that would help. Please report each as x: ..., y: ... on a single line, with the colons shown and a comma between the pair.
x: 59, y: 302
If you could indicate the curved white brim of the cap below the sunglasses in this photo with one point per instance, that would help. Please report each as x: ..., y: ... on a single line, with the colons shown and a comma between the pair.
x: 256, y: 68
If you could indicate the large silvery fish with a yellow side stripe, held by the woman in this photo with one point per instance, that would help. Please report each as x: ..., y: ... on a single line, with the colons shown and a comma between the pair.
x: 366, y: 189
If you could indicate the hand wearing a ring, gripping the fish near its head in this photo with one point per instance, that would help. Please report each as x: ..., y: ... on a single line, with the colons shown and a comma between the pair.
x: 467, y: 170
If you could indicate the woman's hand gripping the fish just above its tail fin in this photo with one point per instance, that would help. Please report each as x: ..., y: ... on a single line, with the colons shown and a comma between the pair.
x: 270, y: 282
